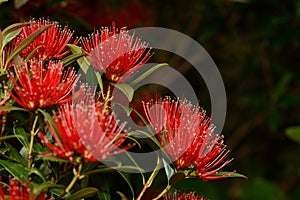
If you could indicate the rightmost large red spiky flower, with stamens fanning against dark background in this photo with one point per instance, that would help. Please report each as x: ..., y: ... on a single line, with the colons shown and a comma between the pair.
x: 187, y: 135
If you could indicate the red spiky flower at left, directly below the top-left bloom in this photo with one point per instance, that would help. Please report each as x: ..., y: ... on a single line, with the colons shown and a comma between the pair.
x: 38, y: 85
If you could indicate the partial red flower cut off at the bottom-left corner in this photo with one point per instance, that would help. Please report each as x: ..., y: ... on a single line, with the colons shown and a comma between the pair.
x: 19, y: 192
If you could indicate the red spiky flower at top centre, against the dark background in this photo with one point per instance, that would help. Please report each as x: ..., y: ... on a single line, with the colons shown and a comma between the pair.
x: 116, y: 53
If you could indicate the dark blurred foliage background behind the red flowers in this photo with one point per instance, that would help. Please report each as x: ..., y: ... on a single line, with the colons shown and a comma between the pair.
x: 255, y: 45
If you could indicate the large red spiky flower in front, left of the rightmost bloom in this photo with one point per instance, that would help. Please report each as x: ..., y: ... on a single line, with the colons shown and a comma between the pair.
x: 86, y: 129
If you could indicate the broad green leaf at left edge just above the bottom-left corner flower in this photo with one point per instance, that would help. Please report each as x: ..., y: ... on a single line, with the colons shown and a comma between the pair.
x: 15, y: 169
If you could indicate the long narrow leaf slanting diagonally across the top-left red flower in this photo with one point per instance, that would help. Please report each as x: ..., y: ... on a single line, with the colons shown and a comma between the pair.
x: 26, y: 42
